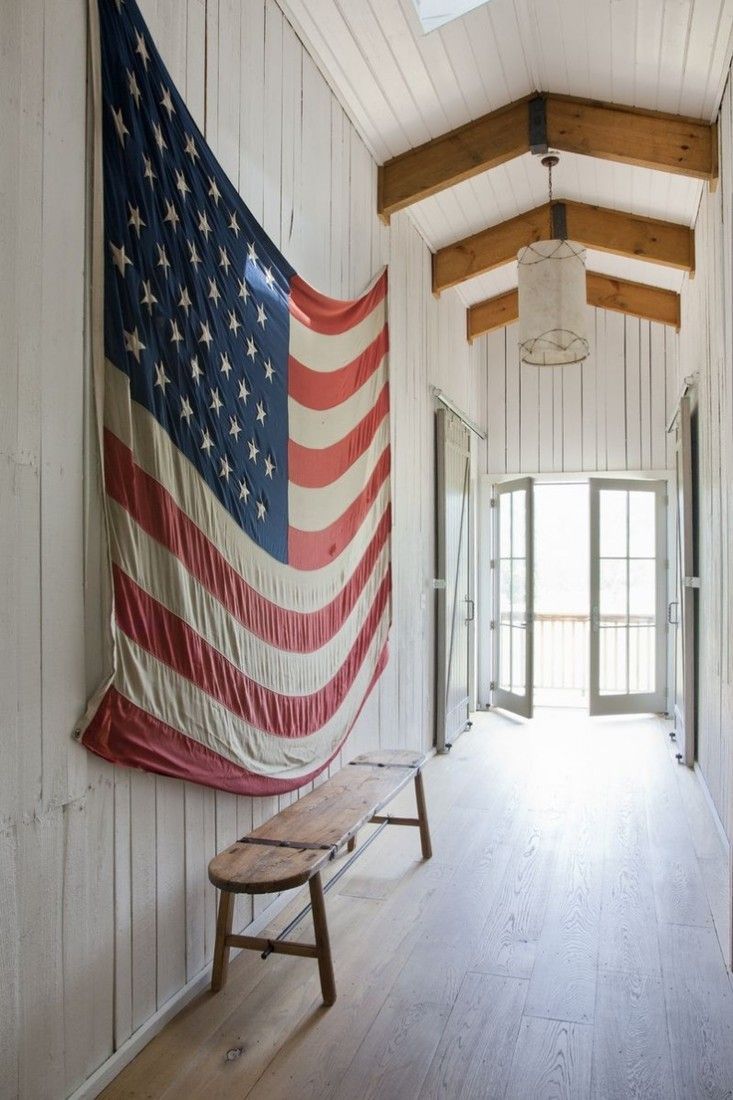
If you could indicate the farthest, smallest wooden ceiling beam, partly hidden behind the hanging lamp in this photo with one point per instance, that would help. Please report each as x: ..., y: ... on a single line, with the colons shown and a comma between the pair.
x: 638, y: 300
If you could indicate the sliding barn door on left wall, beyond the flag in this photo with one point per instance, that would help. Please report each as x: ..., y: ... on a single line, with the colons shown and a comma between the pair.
x: 455, y: 603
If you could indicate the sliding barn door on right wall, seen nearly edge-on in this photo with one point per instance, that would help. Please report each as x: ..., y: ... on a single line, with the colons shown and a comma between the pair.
x: 687, y: 585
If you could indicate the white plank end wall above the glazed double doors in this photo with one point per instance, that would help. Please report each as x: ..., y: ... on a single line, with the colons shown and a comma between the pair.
x: 607, y: 414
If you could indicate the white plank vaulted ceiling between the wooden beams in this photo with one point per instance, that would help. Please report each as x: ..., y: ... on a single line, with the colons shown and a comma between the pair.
x: 404, y: 89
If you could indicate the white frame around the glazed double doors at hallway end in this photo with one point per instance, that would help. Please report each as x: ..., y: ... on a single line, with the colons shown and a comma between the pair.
x: 485, y: 579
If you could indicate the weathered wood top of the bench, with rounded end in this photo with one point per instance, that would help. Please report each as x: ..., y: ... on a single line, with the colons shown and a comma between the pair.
x: 307, y: 835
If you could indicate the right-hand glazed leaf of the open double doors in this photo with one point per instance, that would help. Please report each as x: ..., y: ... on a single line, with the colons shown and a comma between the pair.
x: 629, y: 590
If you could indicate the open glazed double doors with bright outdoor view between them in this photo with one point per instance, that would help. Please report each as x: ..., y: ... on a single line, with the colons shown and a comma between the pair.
x: 579, y: 596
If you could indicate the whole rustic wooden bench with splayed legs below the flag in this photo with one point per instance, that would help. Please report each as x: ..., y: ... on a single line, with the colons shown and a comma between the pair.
x: 296, y: 845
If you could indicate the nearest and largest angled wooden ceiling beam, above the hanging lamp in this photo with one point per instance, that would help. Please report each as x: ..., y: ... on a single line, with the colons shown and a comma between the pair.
x: 649, y: 139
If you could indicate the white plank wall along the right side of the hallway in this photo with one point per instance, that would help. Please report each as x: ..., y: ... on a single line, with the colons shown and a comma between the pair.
x: 706, y: 349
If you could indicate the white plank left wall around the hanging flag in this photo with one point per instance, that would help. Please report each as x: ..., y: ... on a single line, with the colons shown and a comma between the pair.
x: 106, y: 908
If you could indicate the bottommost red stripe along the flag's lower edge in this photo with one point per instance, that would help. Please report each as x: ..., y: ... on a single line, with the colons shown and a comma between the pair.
x: 125, y: 734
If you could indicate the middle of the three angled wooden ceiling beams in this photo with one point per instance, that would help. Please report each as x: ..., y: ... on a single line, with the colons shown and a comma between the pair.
x: 660, y: 243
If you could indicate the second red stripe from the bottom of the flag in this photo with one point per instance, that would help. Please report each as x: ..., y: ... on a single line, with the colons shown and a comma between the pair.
x: 174, y: 643
